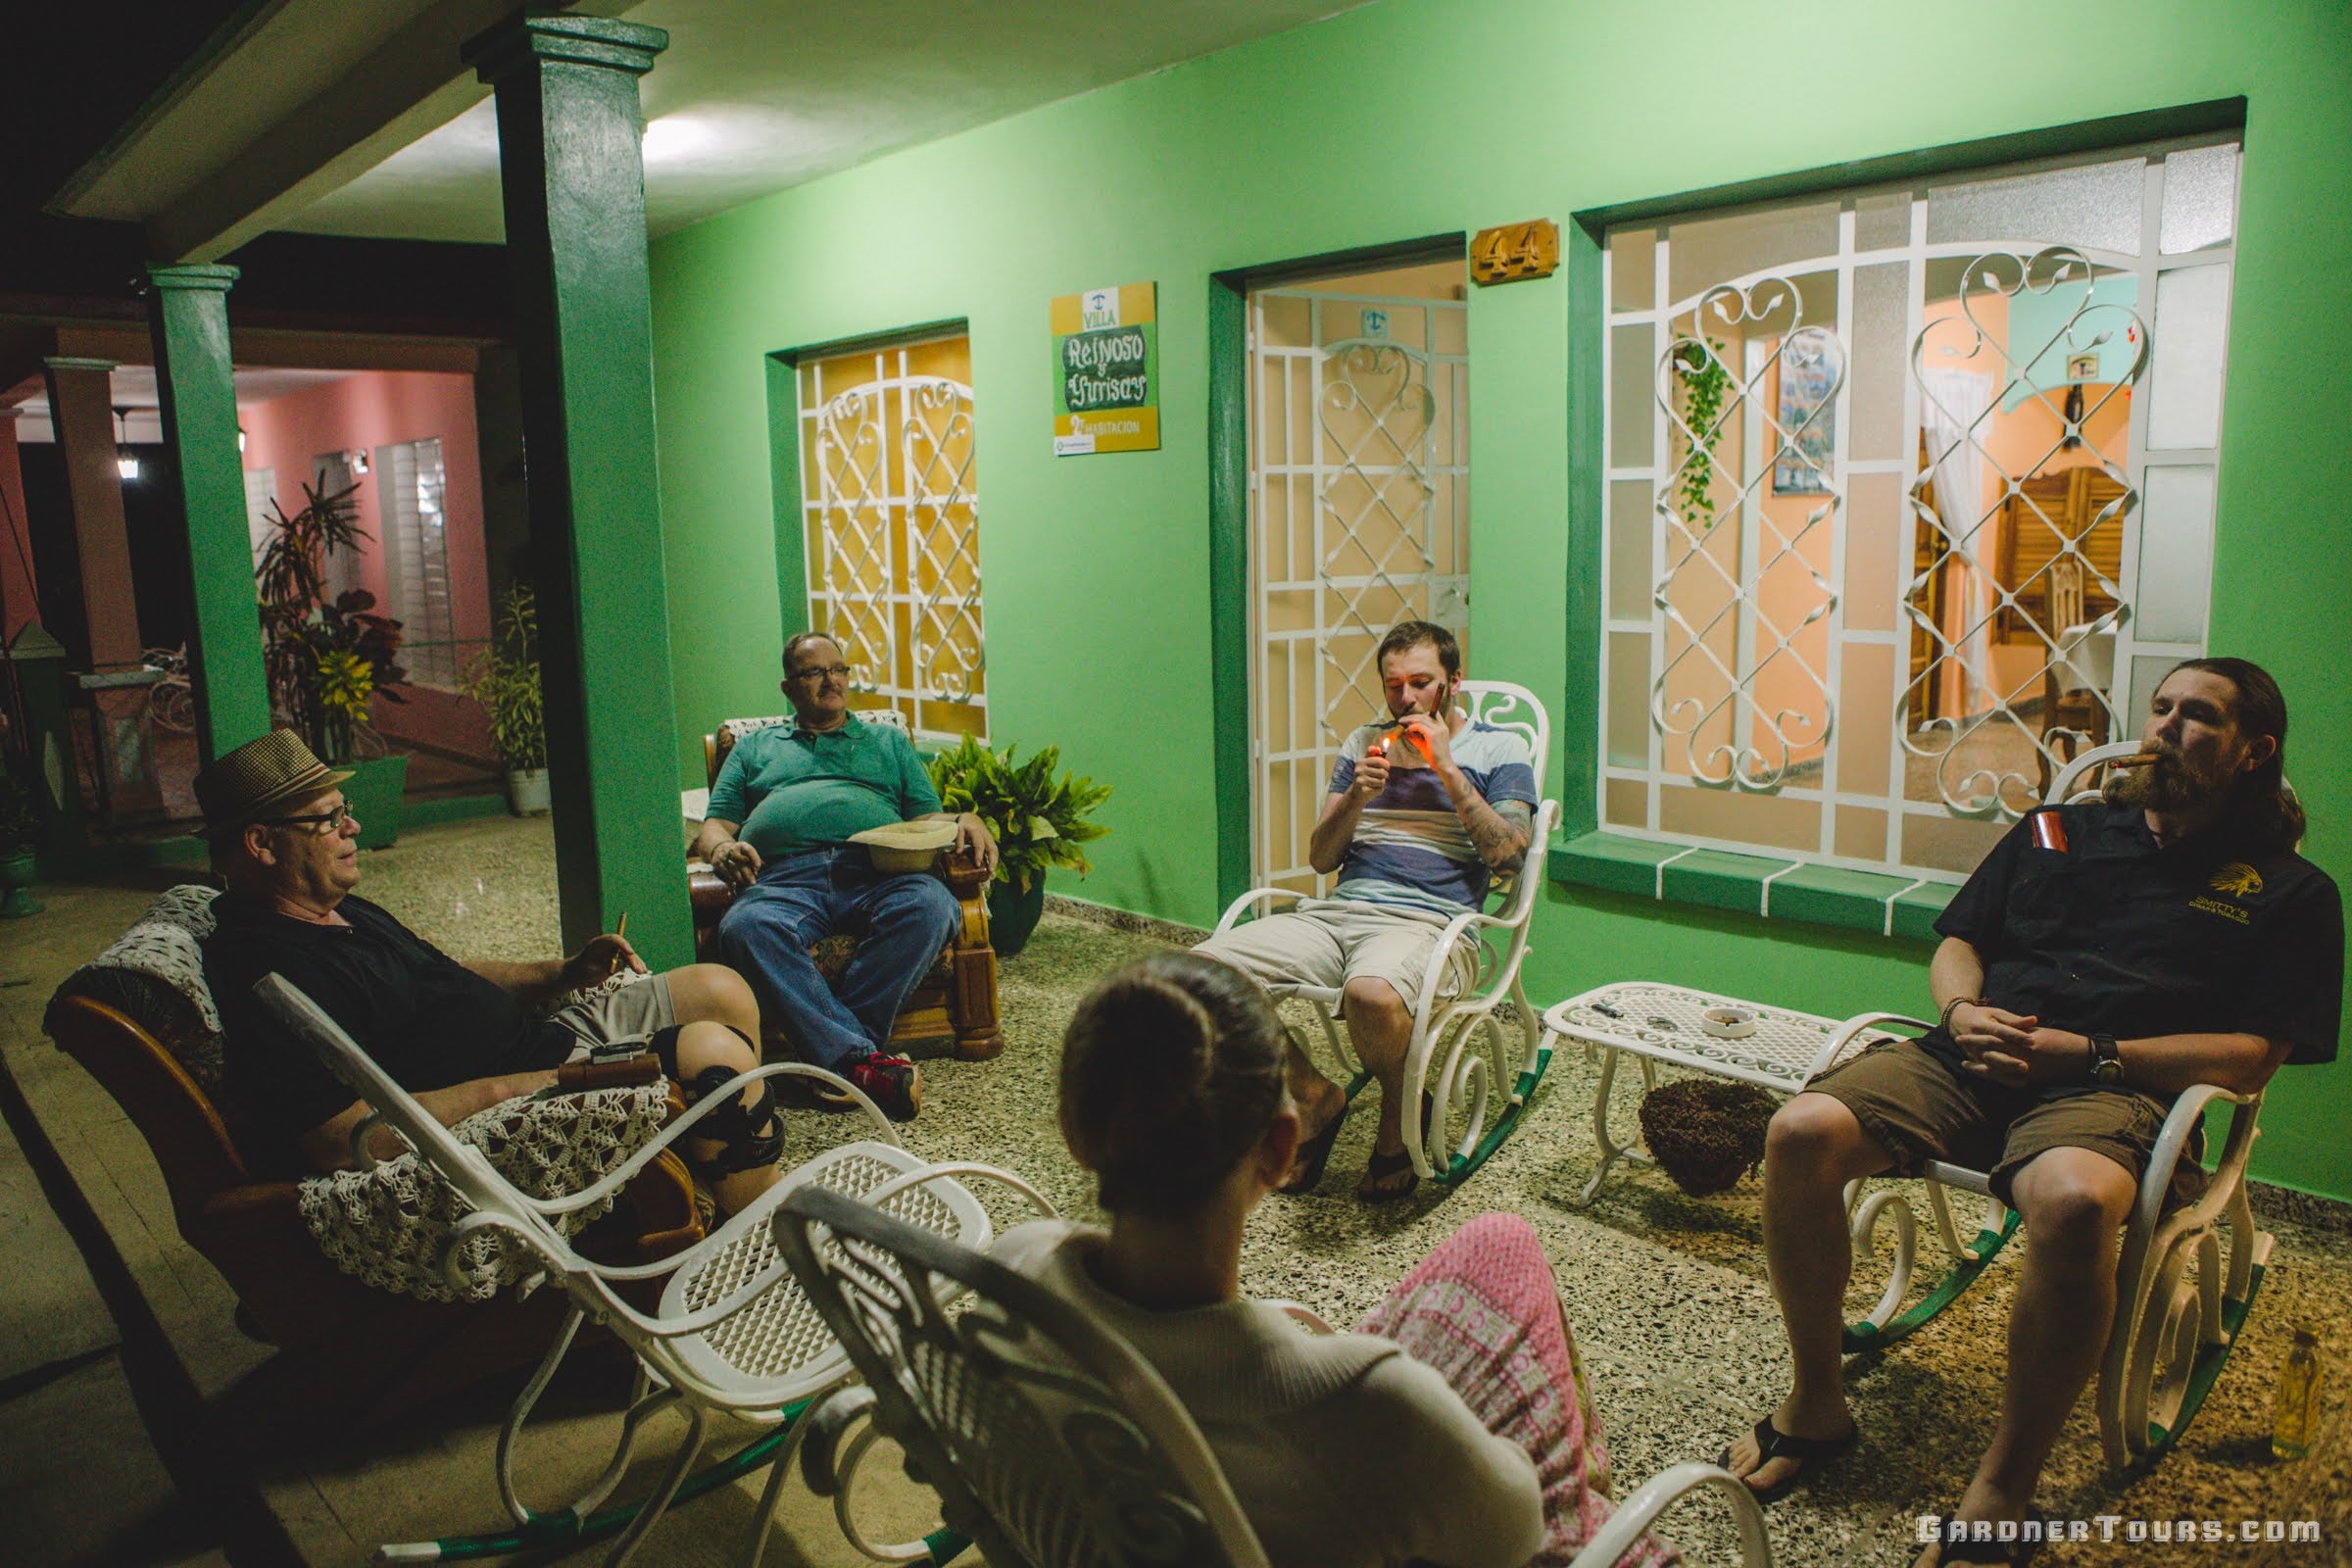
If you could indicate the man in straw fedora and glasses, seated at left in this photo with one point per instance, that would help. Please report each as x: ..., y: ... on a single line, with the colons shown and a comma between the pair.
x: 462, y: 1038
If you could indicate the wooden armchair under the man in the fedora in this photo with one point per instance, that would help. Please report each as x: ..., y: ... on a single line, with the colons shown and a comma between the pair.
x: 145, y: 1026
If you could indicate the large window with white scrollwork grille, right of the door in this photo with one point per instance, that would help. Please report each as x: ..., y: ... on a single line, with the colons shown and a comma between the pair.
x: 1904, y: 504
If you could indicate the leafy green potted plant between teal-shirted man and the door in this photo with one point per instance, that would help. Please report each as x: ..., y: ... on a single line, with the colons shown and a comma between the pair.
x: 1036, y: 819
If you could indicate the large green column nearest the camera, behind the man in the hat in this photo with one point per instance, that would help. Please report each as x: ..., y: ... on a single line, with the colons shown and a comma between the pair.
x: 575, y: 232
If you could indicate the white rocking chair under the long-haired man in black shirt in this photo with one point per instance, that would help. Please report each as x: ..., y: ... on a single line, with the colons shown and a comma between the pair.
x: 2179, y: 1299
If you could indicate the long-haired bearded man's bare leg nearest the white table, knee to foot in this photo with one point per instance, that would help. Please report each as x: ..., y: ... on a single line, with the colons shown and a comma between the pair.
x: 1812, y: 1151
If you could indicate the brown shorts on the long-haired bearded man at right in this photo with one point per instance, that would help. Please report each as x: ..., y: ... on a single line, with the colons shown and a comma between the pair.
x: 1916, y: 1108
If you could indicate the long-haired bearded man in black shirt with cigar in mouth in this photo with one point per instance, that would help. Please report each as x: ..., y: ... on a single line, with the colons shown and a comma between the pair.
x: 2102, y: 960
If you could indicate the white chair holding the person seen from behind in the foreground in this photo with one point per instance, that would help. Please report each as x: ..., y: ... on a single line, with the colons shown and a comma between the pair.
x: 1048, y: 1438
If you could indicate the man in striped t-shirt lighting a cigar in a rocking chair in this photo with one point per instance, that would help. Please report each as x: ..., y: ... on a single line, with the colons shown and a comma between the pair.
x: 1424, y: 812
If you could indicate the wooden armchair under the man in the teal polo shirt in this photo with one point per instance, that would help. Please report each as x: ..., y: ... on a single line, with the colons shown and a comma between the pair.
x: 958, y: 1000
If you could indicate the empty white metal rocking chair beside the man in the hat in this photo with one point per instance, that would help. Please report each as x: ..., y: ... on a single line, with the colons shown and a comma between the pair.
x: 730, y: 1334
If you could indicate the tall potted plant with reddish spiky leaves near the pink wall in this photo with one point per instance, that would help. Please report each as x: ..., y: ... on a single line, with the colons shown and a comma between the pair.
x: 328, y: 659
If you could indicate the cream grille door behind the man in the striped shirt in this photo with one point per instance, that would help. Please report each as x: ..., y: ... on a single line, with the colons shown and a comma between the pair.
x: 1358, y: 518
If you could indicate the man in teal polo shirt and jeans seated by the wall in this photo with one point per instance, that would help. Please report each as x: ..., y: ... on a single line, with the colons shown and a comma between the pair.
x: 780, y: 829
